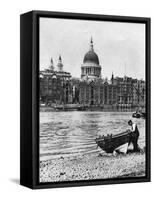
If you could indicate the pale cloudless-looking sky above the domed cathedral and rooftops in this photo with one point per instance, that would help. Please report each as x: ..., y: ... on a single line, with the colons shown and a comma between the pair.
x: 119, y: 46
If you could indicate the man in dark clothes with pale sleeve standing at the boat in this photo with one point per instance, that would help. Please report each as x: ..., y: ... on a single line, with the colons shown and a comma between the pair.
x: 134, y: 135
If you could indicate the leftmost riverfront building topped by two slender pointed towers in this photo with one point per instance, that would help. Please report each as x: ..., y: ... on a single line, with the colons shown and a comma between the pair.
x: 55, y: 85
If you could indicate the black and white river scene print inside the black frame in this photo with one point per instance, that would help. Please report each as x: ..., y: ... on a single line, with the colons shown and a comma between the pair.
x: 92, y: 100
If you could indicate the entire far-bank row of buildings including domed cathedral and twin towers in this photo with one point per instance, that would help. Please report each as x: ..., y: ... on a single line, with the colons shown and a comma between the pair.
x: 58, y: 87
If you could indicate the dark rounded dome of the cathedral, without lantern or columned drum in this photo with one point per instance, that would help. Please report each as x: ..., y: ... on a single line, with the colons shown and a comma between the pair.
x: 91, y: 57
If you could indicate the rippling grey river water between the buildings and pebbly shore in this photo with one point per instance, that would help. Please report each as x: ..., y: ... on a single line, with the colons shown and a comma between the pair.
x: 73, y: 133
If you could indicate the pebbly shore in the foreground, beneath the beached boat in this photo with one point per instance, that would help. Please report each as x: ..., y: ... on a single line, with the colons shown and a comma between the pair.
x: 95, y: 166
